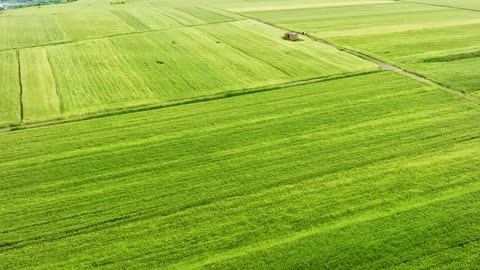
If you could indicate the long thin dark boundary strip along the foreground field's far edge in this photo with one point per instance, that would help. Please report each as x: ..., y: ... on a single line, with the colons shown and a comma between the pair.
x: 174, y: 103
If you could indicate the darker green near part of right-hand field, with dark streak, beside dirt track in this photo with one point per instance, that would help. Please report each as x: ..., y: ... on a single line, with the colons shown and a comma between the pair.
x: 428, y: 52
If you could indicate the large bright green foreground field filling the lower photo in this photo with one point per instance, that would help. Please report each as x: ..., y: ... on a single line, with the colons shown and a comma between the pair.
x: 370, y: 171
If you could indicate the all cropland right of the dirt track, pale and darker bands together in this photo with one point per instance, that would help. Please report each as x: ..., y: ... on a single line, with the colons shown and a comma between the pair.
x: 437, y: 42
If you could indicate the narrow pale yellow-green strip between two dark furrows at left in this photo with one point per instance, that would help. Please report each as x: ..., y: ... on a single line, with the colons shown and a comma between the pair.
x: 40, y: 99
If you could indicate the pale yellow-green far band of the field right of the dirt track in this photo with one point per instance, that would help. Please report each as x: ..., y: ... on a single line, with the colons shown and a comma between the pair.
x: 367, y: 19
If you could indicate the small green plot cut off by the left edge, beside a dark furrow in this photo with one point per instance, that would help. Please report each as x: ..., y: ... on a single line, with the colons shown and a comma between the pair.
x: 9, y: 89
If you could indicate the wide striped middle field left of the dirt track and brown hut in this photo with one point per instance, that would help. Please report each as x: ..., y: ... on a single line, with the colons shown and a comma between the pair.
x: 133, y: 70
